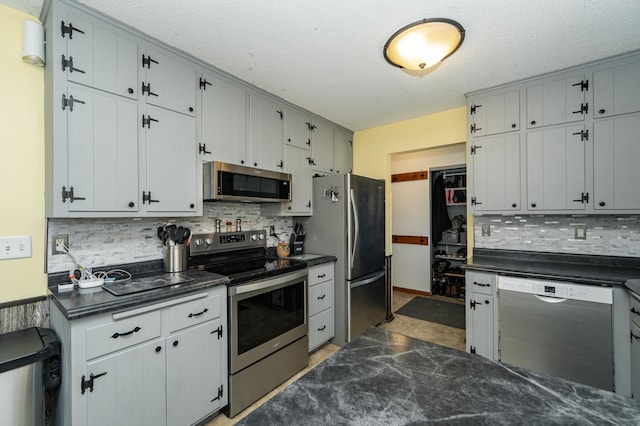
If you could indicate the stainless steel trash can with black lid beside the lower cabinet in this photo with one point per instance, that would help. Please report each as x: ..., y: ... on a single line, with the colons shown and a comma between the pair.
x: 29, y: 367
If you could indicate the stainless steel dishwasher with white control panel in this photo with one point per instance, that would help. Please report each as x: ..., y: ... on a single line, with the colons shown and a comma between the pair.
x: 557, y: 328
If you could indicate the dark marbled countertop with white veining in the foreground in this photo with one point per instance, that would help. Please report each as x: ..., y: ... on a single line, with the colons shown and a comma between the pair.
x: 384, y: 378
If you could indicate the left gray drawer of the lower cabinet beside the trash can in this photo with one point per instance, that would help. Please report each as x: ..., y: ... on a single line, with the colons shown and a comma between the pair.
x: 121, y: 334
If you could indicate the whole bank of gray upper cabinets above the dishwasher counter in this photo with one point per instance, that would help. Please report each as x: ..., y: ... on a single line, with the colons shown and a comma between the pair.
x: 577, y: 152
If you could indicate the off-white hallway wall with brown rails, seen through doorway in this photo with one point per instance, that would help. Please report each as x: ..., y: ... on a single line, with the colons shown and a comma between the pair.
x: 411, y: 210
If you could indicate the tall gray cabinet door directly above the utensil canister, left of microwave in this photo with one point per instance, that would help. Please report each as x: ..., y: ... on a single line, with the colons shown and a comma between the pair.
x: 171, y: 161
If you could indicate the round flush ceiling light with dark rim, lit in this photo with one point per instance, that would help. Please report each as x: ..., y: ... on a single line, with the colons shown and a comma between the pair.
x: 423, y: 44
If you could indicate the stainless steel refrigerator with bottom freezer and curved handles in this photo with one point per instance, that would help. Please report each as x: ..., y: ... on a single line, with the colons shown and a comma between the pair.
x: 348, y: 222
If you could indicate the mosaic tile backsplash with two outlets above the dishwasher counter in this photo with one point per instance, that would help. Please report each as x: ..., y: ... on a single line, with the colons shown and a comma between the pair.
x: 606, y: 235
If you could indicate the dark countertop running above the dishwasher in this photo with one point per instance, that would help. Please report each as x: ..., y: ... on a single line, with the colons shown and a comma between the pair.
x: 584, y: 269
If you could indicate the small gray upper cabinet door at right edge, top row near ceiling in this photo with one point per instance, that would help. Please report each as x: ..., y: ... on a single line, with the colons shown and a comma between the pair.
x: 616, y: 90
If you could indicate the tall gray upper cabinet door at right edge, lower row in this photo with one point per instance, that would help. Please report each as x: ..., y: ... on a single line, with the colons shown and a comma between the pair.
x: 615, y: 159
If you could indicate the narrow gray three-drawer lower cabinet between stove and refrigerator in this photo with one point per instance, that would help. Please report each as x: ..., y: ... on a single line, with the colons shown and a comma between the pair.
x: 321, y: 300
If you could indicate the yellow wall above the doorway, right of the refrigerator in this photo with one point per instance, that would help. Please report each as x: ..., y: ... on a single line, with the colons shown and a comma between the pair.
x: 372, y: 148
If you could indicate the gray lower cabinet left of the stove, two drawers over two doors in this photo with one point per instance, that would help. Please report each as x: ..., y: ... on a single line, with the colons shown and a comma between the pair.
x: 161, y: 364
